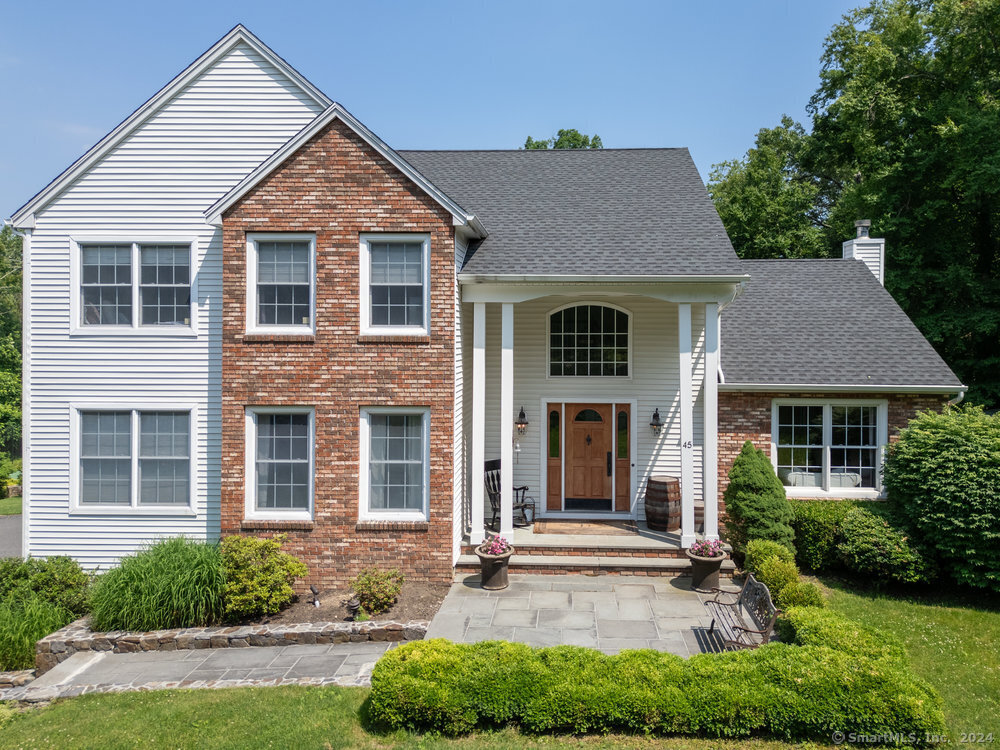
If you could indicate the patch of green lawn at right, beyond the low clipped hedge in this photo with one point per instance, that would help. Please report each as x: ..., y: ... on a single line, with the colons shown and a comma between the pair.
x: 953, y: 641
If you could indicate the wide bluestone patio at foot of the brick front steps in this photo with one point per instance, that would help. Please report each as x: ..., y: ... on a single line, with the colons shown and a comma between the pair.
x: 609, y: 613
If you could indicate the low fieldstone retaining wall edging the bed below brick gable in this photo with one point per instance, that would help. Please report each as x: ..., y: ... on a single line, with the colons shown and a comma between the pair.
x: 77, y: 636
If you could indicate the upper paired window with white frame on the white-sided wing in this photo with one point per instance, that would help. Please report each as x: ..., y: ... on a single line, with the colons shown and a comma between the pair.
x: 133, y: 286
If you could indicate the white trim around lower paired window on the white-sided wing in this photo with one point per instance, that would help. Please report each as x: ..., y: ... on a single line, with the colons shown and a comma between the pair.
x: 133, y: 509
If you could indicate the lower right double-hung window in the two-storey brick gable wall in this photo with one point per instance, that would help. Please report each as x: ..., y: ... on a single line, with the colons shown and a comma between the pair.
x: 395, y: 463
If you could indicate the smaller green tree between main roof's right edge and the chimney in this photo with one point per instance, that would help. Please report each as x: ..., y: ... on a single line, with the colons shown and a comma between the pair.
x: 769, y: 204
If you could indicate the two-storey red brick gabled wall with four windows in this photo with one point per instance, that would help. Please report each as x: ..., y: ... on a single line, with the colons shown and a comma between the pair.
x: 337, y: 187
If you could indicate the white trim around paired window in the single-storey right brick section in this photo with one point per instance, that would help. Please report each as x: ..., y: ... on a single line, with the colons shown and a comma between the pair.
x: 882, y: 438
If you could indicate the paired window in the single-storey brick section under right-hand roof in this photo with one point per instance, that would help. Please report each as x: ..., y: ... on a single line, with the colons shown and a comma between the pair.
x: 829, y: 447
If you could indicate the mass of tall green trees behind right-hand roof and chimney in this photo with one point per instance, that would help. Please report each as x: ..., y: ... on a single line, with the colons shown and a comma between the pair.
x: 904, y: 131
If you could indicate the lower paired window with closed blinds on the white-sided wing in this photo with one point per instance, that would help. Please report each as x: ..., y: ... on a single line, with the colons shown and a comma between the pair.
x: 131, y: 459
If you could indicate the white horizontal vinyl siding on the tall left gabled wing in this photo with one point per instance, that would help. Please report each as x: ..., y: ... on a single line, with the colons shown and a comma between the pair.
x: 153, y: 187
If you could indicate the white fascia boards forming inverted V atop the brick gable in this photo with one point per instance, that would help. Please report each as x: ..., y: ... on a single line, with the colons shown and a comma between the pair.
x: 335, y: 111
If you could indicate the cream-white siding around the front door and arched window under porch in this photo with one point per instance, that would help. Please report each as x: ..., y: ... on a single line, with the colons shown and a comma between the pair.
x: 654, y: 382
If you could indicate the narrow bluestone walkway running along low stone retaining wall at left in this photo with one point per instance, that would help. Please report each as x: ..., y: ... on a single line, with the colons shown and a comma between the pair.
x: 107, y: 672
